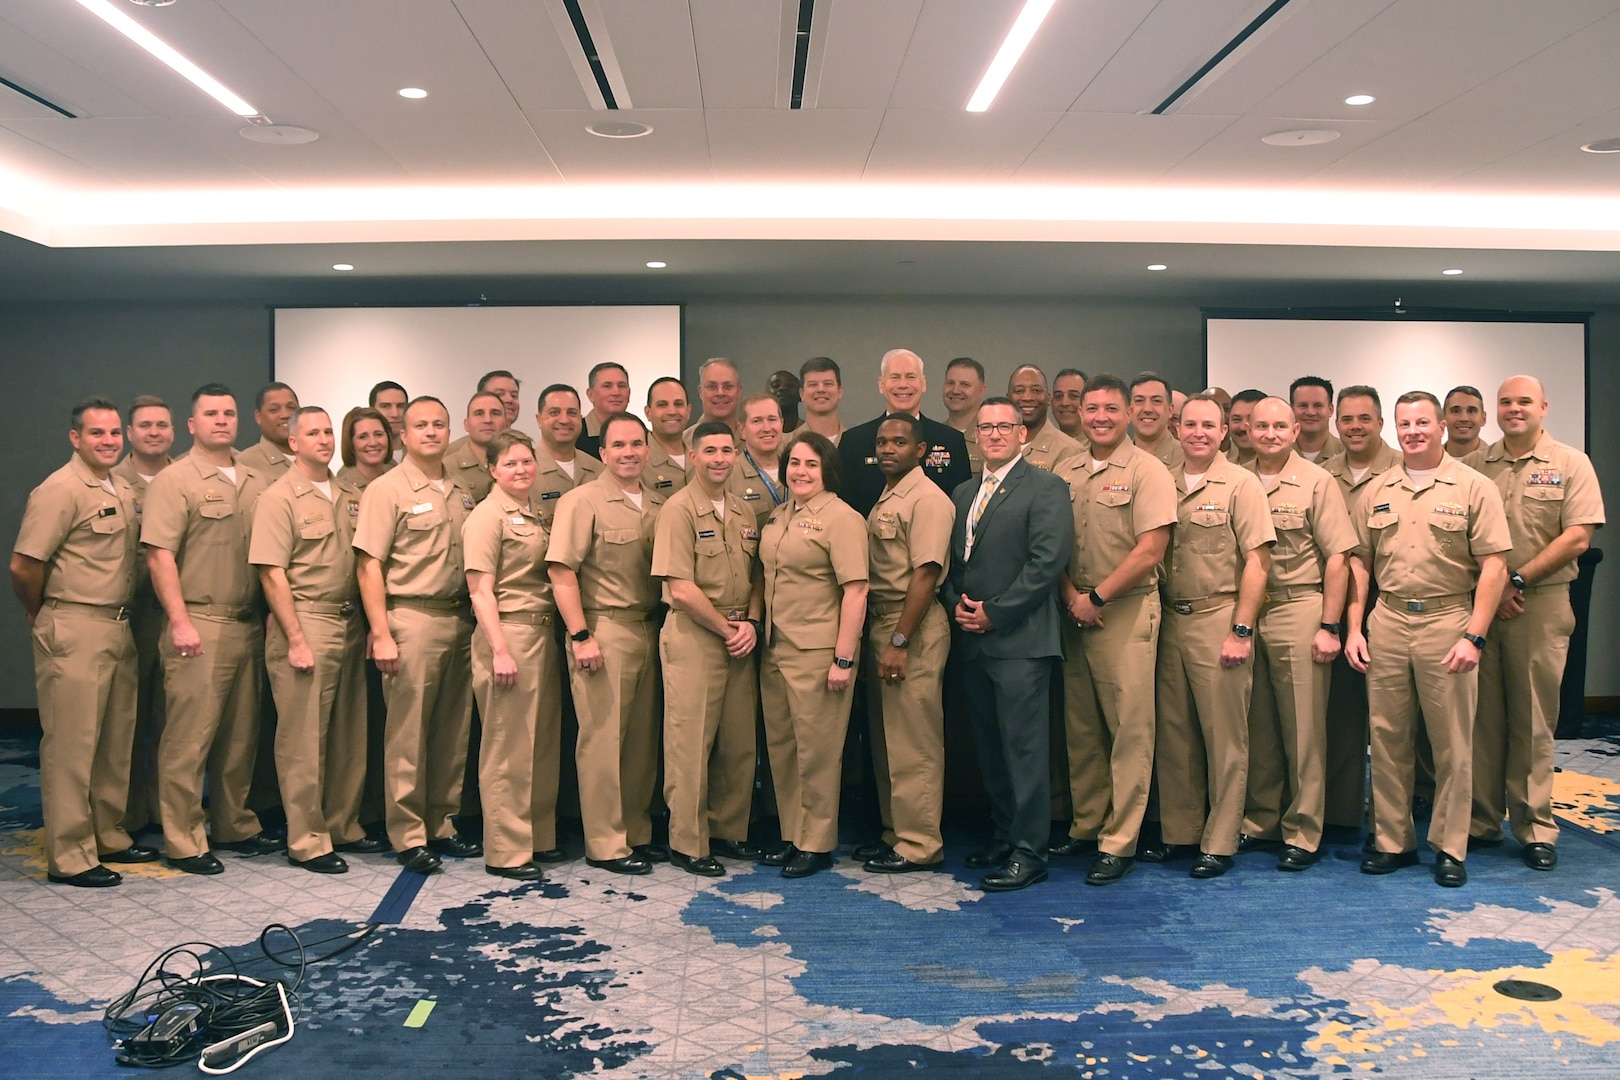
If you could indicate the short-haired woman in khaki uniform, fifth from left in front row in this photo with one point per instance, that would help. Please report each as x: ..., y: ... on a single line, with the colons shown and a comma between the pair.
x: 516, y: 676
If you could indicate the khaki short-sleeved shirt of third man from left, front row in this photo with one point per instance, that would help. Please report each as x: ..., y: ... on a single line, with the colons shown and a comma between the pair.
x: 310, y: 537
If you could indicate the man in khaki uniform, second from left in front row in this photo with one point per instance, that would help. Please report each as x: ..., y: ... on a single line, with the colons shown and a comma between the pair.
x: 195, y: 530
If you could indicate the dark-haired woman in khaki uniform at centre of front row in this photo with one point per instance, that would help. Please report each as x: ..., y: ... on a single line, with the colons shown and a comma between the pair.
x: 814, y: 551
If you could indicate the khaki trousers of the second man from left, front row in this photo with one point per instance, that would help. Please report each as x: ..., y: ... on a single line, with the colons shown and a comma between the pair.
x: 211, y: 728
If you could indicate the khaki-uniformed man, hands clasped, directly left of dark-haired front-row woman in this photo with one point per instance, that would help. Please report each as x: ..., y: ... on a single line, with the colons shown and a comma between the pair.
x: 707, y: 555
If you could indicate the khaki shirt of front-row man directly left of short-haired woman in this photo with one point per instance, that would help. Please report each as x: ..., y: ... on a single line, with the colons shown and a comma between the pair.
x: 416, y: 532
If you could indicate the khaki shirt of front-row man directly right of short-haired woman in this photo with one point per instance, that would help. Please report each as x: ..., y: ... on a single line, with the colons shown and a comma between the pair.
x: 608, y: 543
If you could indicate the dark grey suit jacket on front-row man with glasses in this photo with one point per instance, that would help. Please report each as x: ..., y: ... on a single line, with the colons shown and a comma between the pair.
x: 1021, y: 548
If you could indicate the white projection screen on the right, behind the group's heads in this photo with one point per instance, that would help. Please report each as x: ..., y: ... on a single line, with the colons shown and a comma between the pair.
x: 1400, y: 355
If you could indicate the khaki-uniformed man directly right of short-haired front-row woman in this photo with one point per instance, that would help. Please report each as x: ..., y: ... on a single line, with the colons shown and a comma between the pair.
x: 600, y: 563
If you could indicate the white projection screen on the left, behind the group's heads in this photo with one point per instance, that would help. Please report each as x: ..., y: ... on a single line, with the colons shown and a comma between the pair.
x: 333, y: 357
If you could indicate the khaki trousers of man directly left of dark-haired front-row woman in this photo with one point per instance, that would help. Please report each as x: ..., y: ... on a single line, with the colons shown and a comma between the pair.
x: 710, y: 702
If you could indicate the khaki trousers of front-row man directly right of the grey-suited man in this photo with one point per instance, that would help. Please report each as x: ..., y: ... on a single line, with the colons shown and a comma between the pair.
x: 1109, y: 720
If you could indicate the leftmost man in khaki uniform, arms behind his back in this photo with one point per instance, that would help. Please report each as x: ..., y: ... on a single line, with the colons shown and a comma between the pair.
x: 74, y: 569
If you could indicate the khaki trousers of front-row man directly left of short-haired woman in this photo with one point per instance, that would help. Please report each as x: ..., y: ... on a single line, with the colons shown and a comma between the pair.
x: 425, y: 739
